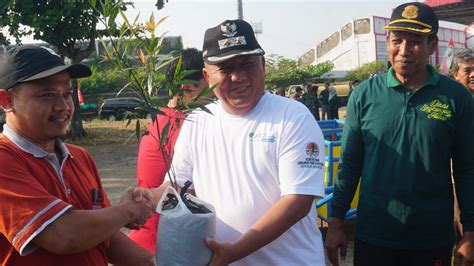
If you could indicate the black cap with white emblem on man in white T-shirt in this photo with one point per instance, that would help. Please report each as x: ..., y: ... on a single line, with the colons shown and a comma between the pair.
x: 229, y: 39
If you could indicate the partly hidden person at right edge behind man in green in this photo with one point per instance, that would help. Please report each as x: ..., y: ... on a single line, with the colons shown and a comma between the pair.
x: 463, y: 68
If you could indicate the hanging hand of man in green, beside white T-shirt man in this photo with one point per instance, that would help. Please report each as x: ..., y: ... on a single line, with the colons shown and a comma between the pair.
x: 336, y: 241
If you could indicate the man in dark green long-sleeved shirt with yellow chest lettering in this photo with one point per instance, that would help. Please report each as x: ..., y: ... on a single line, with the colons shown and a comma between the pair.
x: 401, y: 131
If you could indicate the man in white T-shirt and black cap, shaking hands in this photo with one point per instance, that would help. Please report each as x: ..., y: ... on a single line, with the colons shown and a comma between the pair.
x: 258, y: 159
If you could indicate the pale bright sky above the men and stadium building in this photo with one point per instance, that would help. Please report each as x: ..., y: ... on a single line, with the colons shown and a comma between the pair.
x: 290, y: 28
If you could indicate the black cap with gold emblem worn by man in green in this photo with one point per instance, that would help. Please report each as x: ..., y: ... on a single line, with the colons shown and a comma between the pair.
x: 414, y: 17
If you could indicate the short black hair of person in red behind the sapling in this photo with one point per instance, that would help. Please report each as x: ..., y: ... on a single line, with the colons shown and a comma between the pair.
x: 191, y: 60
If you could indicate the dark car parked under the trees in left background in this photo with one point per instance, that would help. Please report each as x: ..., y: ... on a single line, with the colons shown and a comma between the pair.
x: 115, y: 108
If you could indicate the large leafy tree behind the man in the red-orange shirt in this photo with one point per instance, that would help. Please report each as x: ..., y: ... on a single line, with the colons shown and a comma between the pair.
x: 70, y: 26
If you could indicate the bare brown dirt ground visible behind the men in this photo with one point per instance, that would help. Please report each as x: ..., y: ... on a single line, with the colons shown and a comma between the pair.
x: 116, y: 162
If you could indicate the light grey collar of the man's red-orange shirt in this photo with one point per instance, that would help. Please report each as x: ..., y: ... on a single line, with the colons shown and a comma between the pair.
x: 29, y: 147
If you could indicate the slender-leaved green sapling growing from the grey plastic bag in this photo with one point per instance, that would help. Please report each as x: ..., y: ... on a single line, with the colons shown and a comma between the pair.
x: 140, y: 42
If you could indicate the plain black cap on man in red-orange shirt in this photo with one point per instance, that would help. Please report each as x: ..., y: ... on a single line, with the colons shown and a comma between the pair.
x: 29, y: 62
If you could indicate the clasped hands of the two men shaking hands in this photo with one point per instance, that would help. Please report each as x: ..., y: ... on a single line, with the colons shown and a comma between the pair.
x: 138, y: 204
